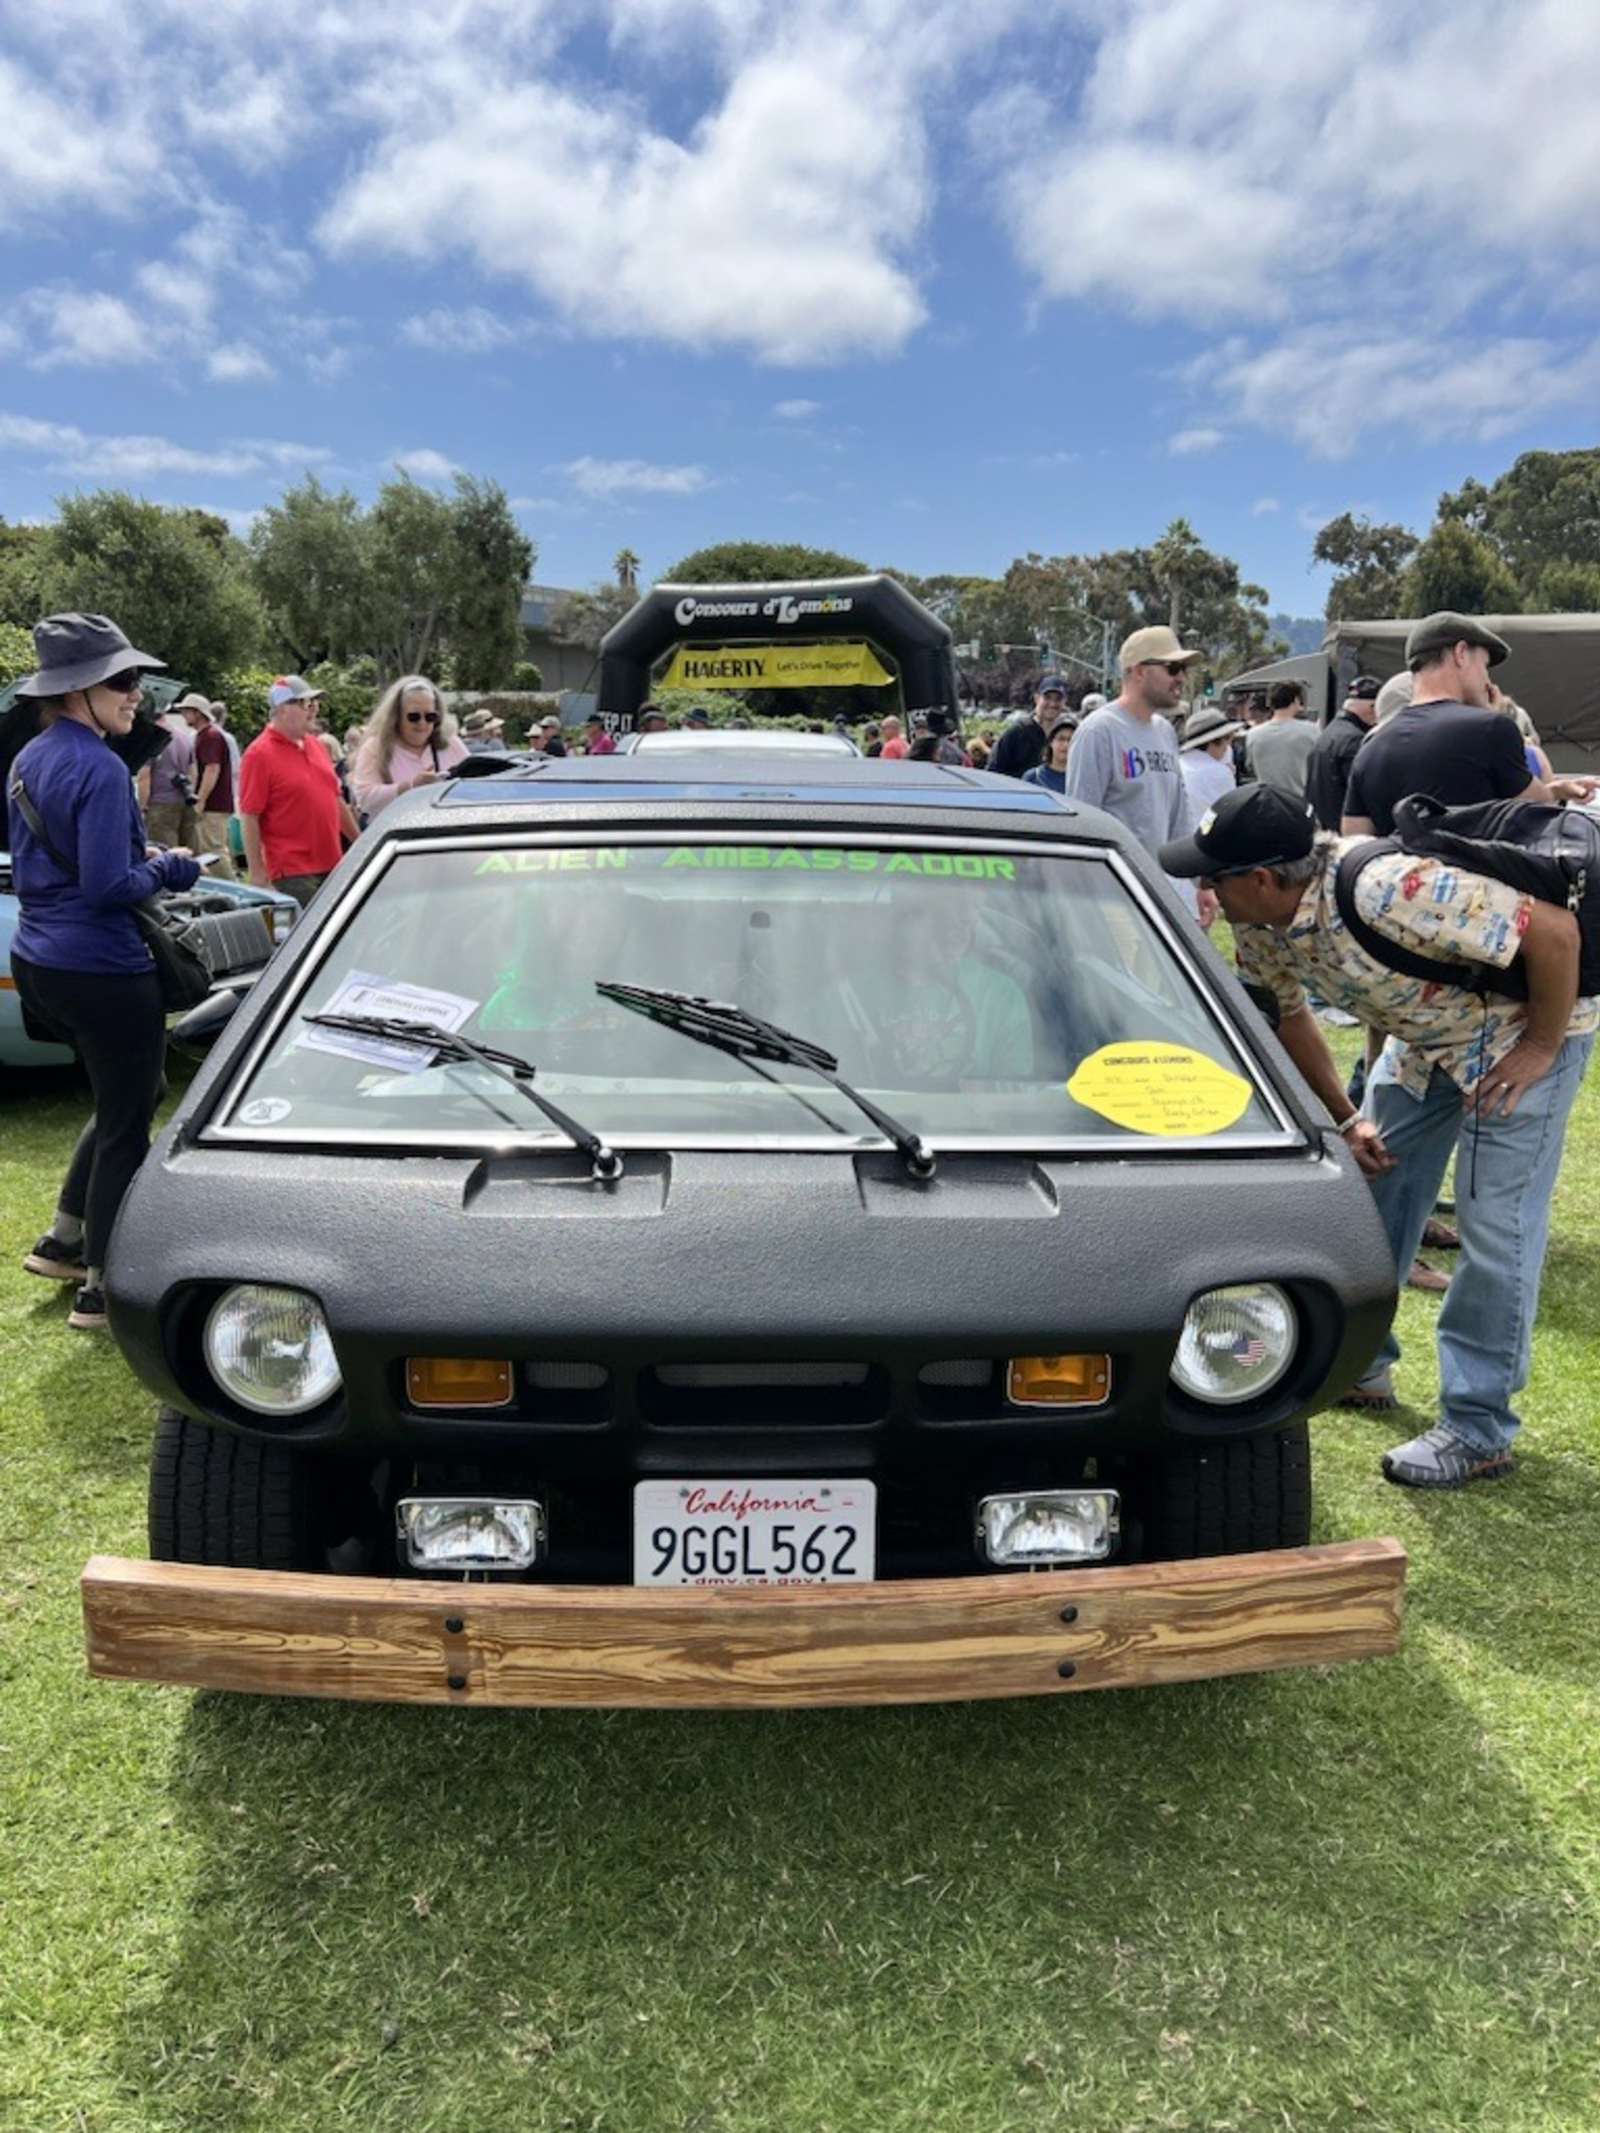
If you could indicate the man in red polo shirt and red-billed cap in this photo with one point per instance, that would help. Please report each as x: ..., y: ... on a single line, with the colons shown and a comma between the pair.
x: 291, y: 809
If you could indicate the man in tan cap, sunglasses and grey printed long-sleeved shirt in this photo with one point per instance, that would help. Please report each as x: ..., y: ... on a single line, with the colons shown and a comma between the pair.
x: 1125, y: 756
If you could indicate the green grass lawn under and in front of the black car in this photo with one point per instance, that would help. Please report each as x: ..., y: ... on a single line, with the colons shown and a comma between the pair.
x: 1358, y: 1899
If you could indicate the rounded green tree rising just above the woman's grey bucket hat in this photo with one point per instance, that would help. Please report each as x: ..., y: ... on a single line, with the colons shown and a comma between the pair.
x: 174, y: 579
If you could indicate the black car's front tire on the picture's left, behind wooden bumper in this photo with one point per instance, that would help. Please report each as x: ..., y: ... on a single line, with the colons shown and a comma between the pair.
x: 229, y: 1503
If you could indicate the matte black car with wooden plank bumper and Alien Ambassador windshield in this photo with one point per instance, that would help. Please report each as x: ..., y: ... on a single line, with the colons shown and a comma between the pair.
x: 735, y: 1196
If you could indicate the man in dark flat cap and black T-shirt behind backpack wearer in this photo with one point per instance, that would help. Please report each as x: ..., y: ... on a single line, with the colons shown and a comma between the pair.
x: 1447, y: 741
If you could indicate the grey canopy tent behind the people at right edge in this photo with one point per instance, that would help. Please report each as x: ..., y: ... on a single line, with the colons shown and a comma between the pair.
x: 1554, y: 673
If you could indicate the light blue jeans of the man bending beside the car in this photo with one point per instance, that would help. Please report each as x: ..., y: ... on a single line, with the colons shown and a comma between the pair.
x: 1505, y: 1176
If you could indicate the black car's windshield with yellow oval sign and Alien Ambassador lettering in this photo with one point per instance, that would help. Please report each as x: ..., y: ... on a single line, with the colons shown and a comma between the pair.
x: 980, y: 993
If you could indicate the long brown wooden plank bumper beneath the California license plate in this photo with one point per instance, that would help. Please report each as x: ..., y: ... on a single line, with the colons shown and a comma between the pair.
x: 931, y: 1641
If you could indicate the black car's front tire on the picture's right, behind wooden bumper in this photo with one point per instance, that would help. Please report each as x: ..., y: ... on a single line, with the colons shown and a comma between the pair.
x: 1234, y: 1498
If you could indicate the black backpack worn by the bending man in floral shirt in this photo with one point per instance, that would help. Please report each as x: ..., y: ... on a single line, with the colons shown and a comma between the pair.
x: 1548, y: 852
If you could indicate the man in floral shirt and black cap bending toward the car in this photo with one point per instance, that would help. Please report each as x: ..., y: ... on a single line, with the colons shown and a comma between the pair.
x: 1486, y: 1078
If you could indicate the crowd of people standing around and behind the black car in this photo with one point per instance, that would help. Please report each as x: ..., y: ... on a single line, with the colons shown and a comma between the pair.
x: 1247, y: 816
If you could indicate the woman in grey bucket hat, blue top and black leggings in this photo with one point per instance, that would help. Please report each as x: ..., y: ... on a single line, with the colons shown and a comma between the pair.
x: 84, y: 974
